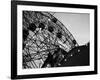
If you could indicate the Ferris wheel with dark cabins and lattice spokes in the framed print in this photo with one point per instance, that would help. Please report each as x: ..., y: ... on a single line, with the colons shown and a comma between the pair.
x: 45, y: 39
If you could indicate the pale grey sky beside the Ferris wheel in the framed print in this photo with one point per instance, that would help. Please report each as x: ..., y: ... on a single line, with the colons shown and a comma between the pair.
x: 78, y: 24
